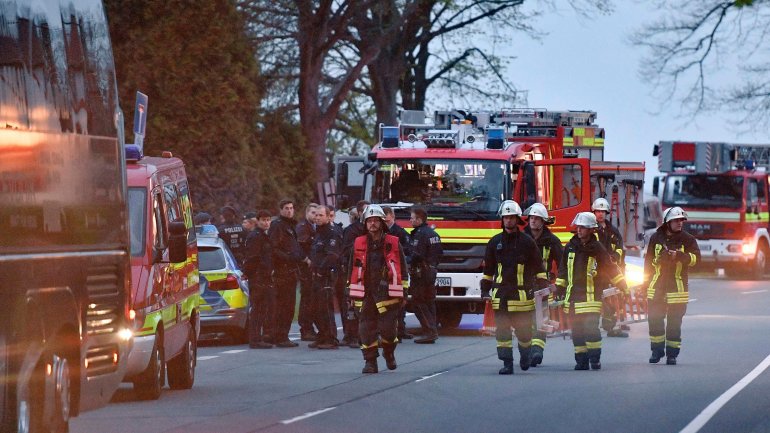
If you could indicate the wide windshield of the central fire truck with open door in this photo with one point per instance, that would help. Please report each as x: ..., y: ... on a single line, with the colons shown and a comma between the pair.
x: 444, y: 186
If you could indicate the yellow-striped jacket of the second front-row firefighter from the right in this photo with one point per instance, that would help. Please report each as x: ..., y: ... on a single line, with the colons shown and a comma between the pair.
x: 581, y: 265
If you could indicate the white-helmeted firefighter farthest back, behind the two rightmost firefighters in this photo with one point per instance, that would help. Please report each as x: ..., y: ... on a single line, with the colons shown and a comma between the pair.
x: 610, y: 238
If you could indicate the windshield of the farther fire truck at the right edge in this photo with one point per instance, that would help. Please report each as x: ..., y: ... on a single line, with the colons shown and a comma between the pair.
x: 704, y: 191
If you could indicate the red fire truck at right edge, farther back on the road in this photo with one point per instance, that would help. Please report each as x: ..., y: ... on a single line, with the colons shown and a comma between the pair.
x: 723, y: 187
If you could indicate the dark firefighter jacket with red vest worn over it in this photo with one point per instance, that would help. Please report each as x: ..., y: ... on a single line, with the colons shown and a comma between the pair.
x: 378, y: 269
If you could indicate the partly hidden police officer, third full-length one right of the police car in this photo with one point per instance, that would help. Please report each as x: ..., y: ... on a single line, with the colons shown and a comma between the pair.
x: 305, y: 234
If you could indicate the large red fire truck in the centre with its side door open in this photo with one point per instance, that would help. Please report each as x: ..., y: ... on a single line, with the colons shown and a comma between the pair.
x: 462, y: 165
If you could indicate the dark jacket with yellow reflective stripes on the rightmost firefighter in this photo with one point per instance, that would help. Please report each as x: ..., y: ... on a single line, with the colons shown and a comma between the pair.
x: 667, y: 277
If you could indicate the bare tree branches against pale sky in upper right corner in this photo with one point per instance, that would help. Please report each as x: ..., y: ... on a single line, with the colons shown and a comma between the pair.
x: 695, y: 42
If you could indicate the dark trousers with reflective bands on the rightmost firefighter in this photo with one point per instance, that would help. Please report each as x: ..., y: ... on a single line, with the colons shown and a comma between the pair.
x: 666, y: 326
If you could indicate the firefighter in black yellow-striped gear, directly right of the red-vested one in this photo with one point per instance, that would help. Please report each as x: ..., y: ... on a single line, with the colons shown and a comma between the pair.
x: 512, y: 271
